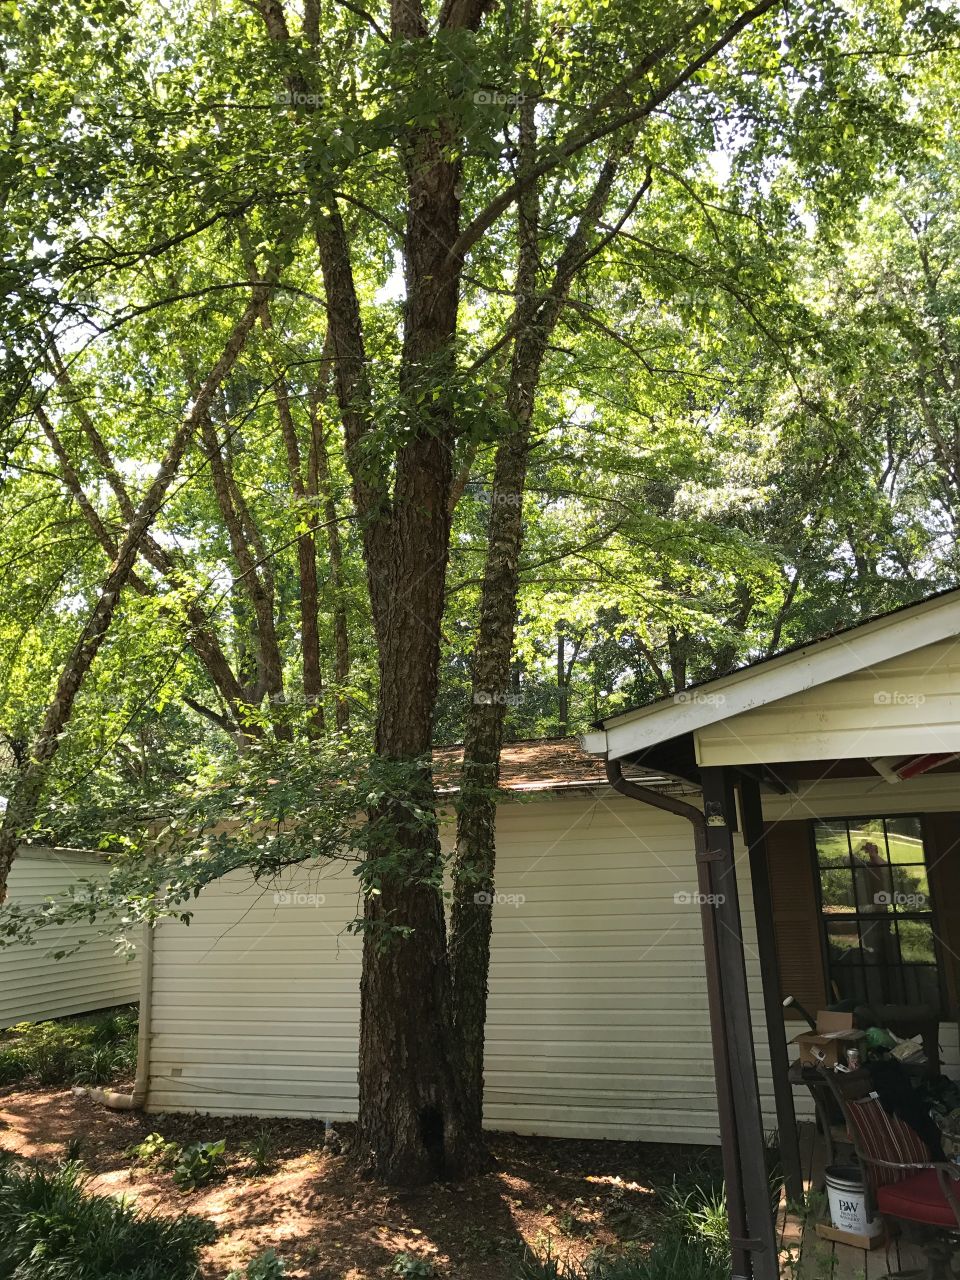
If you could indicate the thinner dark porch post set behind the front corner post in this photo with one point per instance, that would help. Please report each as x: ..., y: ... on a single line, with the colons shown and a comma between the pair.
x: 755, y: 839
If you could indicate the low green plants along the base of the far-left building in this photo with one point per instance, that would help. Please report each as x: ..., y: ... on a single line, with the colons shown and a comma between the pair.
x: 97, y: 1050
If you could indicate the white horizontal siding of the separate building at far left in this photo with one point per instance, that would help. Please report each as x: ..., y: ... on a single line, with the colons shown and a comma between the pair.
x: 34, y: 986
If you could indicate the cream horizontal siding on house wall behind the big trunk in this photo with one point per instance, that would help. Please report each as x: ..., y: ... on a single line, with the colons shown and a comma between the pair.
x: 597, y: 1025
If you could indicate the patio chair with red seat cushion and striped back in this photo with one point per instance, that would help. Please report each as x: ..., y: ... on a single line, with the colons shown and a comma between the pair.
x: 903, y: 1182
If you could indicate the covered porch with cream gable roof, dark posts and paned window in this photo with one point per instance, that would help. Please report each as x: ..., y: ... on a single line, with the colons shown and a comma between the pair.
x: 830, y: 772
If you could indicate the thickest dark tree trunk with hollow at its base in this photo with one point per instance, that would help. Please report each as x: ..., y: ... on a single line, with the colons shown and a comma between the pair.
x: 412, y: 1098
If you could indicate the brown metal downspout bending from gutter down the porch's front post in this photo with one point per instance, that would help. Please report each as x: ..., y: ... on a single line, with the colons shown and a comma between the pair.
x: 715, y: 999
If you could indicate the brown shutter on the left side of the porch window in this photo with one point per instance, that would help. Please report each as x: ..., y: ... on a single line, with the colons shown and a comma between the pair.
x: 797, y: 915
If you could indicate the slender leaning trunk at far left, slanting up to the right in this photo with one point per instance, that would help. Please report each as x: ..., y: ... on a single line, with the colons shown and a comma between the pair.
x: 22, y: 806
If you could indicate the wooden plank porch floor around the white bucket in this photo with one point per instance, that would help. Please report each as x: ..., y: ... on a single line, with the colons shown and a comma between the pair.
x: 804, y: 1256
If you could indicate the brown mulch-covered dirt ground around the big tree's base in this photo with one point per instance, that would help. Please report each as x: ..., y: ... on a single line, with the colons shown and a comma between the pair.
x: 328, y: 1223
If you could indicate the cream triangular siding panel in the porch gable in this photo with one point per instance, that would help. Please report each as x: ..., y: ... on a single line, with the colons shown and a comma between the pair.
x: 909, y: 705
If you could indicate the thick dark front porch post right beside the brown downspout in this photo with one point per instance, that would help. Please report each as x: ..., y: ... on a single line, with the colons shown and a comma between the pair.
x: 719, y: 860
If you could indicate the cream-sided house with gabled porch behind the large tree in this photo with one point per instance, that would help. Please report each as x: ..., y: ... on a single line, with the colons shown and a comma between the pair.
x: 641, y: 950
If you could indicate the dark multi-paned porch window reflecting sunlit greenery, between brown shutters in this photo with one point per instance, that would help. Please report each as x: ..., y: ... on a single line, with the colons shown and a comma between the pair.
x: 876, y: 912
